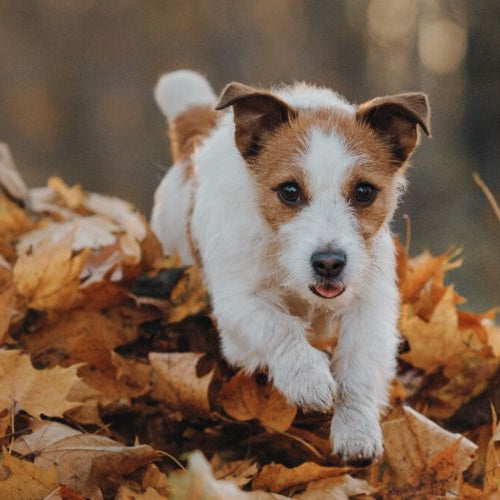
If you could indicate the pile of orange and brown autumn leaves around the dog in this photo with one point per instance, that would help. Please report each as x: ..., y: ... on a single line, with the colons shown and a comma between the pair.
x: 110, y: 377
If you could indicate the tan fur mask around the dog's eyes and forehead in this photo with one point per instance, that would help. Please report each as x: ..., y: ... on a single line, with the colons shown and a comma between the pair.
x: 278, y: 162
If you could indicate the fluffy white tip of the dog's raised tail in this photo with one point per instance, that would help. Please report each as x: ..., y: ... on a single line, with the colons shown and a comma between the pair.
x: 177, y: 91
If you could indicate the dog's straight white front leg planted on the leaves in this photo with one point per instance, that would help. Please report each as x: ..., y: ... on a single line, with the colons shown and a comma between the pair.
x: 364, y: 365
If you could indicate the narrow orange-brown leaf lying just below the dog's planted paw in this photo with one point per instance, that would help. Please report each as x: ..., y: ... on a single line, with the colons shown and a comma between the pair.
x: 277, y: 477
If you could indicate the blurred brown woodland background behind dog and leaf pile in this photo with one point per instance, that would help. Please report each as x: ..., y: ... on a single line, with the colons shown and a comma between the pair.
x: 77, y: 76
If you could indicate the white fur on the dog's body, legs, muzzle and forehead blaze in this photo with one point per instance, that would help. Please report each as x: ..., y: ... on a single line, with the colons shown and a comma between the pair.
x: 246, y: 280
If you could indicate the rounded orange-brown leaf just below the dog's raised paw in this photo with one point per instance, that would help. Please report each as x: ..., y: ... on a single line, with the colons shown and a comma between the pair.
x: 244, y: 399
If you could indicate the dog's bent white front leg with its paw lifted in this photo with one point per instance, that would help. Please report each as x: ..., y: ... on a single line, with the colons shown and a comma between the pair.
x: 257, y: 332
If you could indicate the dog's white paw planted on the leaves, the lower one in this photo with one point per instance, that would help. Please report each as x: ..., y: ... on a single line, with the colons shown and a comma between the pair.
x: 356, y: 438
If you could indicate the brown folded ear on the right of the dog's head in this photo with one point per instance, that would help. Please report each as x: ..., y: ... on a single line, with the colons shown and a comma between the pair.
x: 395, y: 118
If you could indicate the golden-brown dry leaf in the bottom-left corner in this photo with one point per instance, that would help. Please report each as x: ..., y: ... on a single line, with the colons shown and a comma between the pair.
x: 23, y: 480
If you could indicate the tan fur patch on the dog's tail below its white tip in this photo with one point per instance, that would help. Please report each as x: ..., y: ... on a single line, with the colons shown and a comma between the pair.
x: 189, y: 129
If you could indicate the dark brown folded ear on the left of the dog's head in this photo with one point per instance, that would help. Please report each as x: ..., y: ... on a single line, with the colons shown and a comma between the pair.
x: 256, y: 114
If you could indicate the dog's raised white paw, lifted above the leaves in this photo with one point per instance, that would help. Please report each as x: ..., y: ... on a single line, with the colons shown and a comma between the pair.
x: 305, y: 379
